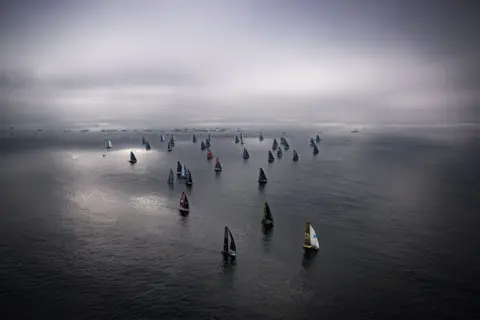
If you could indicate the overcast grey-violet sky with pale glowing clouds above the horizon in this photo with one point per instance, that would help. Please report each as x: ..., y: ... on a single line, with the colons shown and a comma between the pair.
x: 312, y: 60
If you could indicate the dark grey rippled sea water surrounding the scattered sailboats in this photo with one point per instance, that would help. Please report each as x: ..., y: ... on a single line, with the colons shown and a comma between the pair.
x: 396, y: 210
